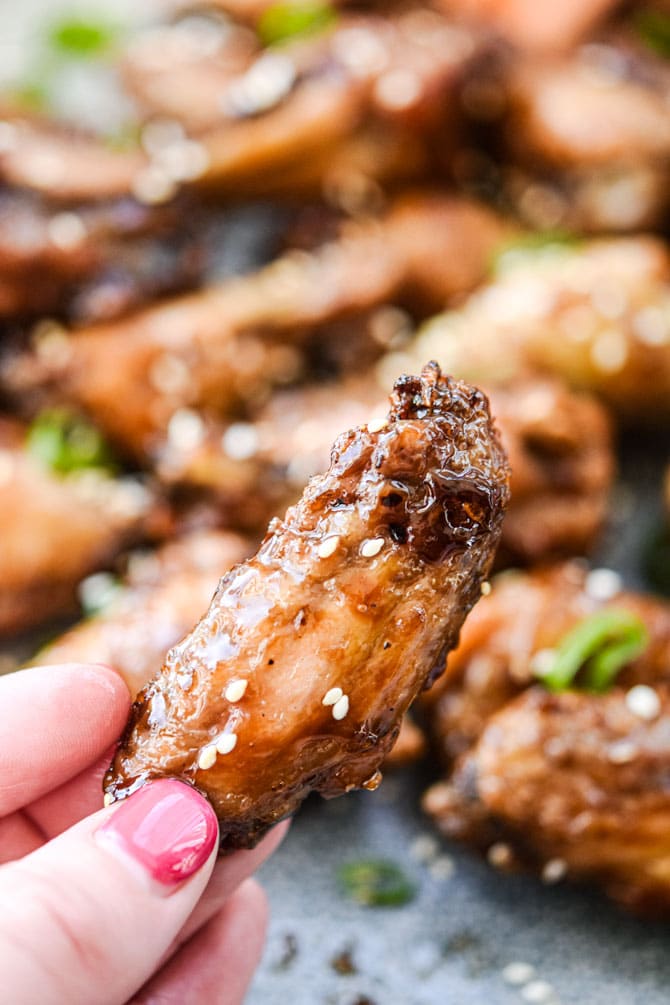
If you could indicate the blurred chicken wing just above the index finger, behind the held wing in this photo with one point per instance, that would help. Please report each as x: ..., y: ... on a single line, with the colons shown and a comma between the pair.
x: 164, y: 594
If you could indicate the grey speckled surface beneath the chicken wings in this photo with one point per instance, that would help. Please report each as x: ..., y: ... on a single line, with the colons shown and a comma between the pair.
x: 452, y: 944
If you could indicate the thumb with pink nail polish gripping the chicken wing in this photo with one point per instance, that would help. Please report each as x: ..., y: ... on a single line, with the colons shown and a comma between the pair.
x: 90, y: 916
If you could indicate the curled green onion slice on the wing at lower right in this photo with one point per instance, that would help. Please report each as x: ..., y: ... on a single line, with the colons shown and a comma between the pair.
x: 599, y: 648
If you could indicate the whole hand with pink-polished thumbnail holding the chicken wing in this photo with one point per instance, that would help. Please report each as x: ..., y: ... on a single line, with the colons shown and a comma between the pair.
x: 110, y: 906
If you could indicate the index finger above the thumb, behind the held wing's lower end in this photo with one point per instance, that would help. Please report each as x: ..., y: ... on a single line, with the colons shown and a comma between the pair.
x: 57, y: 722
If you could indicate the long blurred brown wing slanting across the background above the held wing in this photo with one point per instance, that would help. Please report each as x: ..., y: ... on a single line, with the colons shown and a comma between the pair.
x: 229, y: 345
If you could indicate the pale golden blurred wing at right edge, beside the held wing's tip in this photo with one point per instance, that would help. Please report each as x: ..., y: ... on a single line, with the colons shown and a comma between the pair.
x: 594, y: 314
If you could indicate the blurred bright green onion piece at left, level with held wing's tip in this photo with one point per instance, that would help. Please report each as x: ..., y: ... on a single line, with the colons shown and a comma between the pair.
x: 66, y: 443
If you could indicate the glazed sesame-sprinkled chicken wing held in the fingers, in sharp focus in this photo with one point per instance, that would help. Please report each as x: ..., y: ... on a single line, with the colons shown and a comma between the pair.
x: 355, y: 598
